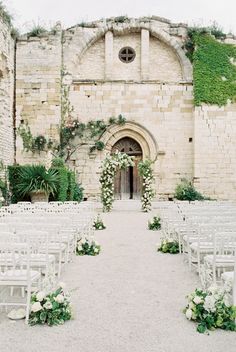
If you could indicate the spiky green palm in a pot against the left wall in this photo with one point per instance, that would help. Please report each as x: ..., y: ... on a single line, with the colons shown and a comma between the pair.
x: 37, y: 182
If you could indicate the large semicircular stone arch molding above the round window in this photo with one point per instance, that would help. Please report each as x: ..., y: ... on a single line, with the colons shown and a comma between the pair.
x: 155, y: 31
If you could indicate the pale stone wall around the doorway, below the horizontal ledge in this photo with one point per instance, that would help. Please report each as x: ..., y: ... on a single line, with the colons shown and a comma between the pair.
x: 165, y: 111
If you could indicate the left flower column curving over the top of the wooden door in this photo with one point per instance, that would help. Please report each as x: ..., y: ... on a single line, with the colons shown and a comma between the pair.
x: 109, y: 168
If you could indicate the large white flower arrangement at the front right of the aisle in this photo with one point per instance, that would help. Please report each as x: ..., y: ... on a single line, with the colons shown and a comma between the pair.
x: 211, y: 309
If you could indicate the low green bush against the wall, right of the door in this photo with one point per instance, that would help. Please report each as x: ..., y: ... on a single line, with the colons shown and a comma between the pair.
x: 186, y: 191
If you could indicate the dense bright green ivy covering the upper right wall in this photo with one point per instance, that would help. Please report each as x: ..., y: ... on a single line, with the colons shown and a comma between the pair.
x: 214, y: 66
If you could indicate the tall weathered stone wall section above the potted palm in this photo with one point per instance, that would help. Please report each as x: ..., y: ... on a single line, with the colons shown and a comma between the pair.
x: 38, y: 89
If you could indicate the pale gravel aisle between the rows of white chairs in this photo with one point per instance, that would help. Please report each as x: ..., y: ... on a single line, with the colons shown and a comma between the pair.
x: 129, y: 298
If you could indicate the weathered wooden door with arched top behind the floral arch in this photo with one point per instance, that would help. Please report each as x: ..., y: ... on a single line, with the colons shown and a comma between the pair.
x: 127, y: 182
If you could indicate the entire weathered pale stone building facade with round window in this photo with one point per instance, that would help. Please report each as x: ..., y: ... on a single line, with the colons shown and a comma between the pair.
x: 153, y: 90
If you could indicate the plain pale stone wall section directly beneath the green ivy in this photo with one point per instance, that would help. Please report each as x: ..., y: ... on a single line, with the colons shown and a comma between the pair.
x: 215, y: 151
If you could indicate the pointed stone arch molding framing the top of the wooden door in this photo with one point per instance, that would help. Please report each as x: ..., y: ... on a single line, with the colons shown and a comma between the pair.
x: 133, y: 130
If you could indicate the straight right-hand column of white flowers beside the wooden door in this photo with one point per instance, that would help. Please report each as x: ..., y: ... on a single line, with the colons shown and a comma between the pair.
x: 146, y: 172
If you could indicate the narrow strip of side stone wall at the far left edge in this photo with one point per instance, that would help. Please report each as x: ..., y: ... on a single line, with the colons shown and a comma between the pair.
x: 6, y: 94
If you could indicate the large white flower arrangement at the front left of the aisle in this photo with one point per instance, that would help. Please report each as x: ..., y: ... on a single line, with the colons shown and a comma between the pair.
x: 51, y: 309
